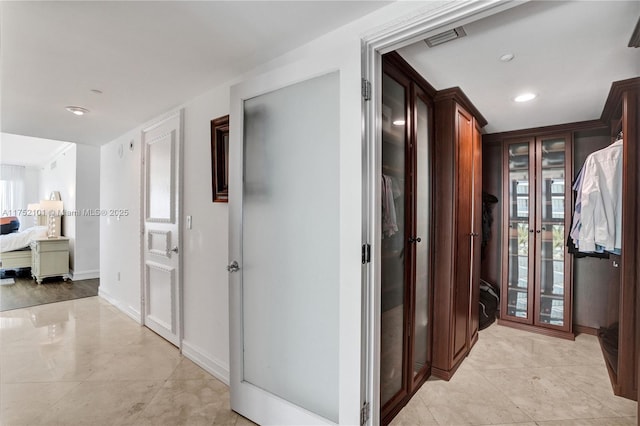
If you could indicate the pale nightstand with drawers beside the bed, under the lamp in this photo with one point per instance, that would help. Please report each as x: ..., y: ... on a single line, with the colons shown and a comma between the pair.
x: 50, y: 258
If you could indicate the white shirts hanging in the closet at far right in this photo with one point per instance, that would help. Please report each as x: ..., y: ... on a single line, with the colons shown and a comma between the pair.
x: 600, y: 201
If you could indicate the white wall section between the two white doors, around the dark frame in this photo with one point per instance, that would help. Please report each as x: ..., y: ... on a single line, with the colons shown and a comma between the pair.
x: 206, y: 295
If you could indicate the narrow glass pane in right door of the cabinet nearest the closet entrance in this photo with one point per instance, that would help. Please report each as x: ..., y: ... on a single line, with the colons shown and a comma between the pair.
x: 423, y: 219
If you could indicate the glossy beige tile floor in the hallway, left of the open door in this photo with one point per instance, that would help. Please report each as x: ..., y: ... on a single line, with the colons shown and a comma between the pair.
x: 83, y: 362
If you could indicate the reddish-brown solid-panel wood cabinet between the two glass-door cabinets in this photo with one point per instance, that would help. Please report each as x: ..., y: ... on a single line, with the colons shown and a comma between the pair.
x: 458, y: 187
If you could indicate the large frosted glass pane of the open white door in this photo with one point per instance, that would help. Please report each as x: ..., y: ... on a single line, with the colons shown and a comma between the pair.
x: 290, y: 250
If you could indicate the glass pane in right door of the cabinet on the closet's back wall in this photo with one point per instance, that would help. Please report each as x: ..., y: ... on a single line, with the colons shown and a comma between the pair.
x: 552, y: 232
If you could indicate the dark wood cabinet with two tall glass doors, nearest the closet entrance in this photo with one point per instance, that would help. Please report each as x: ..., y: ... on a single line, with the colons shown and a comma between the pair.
x: 406, y: 243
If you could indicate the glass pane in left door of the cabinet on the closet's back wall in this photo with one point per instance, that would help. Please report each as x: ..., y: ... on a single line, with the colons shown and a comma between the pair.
x: 519, y: 199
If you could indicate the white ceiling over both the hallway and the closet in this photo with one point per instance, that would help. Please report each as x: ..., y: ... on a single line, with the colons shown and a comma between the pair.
x: 149, y: 57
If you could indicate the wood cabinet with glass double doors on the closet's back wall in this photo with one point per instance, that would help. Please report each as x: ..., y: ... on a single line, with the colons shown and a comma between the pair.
x: 536, y: 267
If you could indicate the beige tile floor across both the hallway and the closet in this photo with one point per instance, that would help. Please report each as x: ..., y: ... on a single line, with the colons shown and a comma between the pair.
x: 83, y: 362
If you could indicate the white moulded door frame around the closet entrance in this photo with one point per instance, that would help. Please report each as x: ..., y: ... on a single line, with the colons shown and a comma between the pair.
x: 417, y: 27
